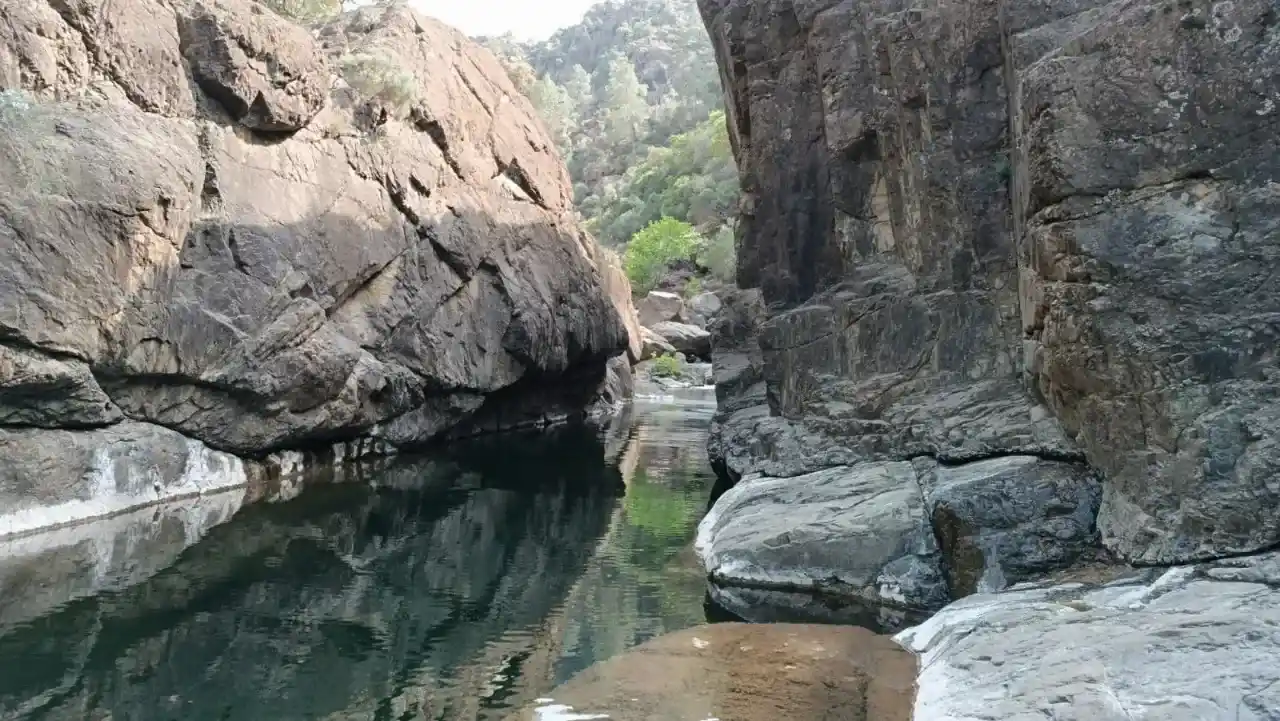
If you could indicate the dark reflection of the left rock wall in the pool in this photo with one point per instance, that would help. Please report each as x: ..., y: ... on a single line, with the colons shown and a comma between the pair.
x: 351, y: 601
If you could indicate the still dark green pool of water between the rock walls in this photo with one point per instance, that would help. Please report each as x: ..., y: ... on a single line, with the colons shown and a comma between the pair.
x: 450, y: 588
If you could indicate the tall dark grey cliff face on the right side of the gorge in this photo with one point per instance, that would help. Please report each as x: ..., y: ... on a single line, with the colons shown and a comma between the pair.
x: 1011, y: 229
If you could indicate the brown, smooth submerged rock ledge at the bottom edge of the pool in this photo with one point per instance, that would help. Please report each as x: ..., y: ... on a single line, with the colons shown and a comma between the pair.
x: 743, y: 673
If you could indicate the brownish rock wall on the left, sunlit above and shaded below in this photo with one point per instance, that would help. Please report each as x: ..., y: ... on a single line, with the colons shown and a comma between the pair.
x: 263, y: 238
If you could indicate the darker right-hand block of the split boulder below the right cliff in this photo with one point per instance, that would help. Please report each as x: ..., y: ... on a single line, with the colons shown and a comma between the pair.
x: 1009, y: 519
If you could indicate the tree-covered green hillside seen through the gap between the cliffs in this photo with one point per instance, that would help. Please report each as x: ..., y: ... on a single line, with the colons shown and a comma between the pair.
x: 633, y: 97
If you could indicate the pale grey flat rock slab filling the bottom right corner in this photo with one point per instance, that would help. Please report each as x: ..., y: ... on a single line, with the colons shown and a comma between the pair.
x: 1191, y: 644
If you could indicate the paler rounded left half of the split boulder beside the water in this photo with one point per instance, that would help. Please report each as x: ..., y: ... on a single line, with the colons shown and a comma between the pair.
x: 857, y: 532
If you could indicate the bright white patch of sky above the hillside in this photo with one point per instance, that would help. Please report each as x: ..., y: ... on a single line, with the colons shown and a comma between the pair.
x: 527, y: 20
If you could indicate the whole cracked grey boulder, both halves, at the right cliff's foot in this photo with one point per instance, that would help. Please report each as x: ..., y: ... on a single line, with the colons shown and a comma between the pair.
x: 908, y: 535
